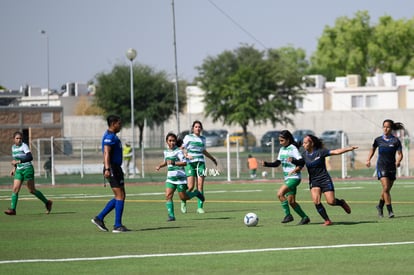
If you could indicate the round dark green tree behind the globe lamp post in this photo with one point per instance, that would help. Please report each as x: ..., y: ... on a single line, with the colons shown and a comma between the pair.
x: 154, y: 98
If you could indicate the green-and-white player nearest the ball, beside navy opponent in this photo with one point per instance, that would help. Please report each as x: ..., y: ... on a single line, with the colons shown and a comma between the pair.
x: 287, y: 192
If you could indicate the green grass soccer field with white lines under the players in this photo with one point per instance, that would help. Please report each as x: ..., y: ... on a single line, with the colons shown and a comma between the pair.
x: 217, y: 242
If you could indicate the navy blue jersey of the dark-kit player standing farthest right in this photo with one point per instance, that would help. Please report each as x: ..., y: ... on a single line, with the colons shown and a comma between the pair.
x: 387, y: 148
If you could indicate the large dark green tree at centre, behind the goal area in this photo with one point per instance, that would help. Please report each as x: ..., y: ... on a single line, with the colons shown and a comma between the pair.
x: 245, y: 86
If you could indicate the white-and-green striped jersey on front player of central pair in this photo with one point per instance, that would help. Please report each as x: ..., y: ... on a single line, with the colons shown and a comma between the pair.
x: 175, y: 174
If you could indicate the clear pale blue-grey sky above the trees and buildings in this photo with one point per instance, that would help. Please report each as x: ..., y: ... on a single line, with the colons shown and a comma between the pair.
x: 87, y: 37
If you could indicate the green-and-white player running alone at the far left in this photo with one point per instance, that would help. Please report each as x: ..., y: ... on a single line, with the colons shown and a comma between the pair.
x: 23, y: 171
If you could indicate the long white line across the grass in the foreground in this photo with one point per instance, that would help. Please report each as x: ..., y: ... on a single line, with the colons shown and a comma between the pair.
x: 203, y: 253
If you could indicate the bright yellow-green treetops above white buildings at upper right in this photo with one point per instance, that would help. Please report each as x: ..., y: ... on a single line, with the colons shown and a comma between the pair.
x: 353, y: 46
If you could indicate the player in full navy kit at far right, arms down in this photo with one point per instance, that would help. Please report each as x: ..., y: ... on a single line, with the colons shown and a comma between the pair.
x: 388, y: 146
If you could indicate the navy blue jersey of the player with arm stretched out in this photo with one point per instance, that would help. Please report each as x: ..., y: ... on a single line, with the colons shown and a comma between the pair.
x: 315, y: 163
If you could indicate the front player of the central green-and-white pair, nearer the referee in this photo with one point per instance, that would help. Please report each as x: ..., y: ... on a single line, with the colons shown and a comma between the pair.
x: 176, y: 178
